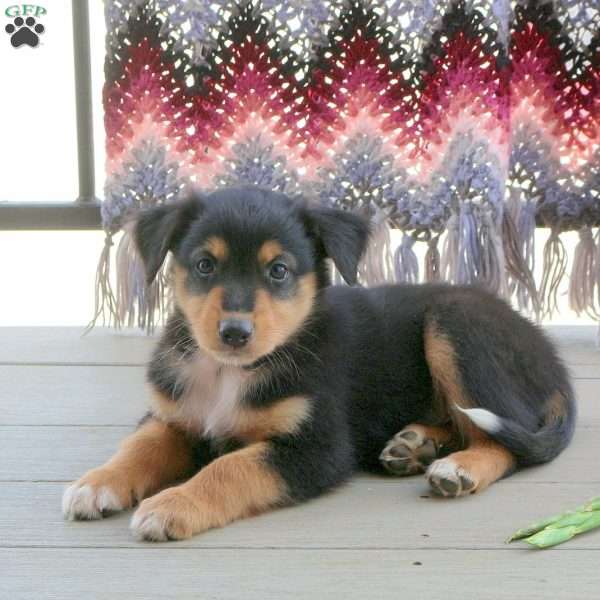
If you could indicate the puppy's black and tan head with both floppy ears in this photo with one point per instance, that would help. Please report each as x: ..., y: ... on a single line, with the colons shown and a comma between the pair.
x: 248, y: 264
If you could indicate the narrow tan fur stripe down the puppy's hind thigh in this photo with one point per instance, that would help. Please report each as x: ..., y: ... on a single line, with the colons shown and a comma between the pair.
x: 447, y: 382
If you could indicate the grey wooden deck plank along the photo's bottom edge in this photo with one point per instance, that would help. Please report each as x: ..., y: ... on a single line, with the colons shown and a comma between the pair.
x: 317, y: 574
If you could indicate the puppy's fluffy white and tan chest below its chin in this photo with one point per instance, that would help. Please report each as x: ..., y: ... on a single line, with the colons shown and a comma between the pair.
x: 211, y: 405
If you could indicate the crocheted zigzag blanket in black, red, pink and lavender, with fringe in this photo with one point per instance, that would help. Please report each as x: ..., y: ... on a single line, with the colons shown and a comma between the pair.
x: 468, y: 122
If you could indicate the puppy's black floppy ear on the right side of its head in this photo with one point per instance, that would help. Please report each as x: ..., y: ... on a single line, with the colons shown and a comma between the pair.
x: 343, y: 235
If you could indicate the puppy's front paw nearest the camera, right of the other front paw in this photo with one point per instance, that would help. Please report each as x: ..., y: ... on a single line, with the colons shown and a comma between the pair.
x: 170, y: 515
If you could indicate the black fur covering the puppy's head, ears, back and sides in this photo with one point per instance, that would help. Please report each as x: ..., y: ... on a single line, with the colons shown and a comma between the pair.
x: 359, y: 355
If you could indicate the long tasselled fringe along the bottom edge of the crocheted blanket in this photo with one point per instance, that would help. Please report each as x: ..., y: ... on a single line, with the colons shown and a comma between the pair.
x: 476, y: 250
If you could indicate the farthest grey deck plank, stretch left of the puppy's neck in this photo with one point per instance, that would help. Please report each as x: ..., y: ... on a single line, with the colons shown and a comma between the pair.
x: 68, y: 345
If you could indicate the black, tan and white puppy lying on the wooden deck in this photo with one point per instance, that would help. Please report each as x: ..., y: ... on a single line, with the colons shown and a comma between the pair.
x: 270, y: 387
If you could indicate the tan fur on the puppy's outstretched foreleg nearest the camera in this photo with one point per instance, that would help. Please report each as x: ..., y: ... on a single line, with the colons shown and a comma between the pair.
x: 234, y: 486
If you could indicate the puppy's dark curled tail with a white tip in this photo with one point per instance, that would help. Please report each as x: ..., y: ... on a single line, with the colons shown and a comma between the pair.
x: 530, y: 447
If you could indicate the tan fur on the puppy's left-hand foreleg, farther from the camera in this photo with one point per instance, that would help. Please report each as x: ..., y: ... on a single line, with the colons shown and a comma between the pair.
x: 155, y: 455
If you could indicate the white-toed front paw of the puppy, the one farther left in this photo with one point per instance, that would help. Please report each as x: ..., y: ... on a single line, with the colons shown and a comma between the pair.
x: 98, y: 493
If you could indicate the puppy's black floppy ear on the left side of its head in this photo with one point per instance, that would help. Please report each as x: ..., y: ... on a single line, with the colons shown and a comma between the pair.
x: 159, y: 229
